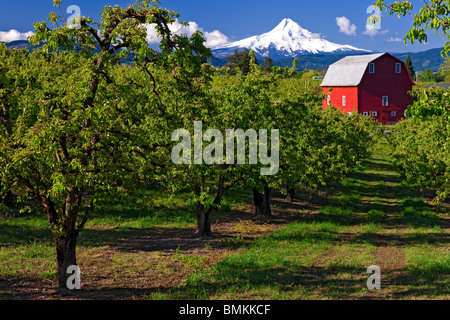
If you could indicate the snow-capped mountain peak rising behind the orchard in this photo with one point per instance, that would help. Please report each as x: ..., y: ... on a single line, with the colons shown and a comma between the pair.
x: 288, y: 39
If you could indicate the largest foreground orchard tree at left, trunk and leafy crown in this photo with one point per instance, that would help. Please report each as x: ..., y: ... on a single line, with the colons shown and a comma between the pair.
x: 69, y: 131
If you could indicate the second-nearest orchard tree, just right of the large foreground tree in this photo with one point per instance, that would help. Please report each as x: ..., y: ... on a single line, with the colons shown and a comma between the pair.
x: 233, y: 102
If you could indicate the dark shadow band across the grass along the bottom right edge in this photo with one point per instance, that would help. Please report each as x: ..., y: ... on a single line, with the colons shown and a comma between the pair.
x: 332, y: 282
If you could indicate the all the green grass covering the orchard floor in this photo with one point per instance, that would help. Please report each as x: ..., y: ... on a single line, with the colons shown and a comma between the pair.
x: 373, y: 218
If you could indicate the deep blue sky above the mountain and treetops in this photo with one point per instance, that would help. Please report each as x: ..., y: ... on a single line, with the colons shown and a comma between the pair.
x: 238, y: 19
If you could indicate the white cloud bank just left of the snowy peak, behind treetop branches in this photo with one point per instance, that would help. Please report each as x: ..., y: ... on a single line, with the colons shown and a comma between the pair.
x: 213, y: 39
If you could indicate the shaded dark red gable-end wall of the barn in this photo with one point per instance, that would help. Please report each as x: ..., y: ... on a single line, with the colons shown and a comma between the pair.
x: 385, y: 82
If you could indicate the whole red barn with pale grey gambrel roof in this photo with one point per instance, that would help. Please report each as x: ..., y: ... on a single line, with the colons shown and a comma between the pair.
x: 374, y: 85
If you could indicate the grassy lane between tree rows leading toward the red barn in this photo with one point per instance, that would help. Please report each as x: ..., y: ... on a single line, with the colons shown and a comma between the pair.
x: 375, y: 218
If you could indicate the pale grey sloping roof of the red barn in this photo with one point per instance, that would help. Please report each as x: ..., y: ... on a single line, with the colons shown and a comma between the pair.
x: 349, y: 71
